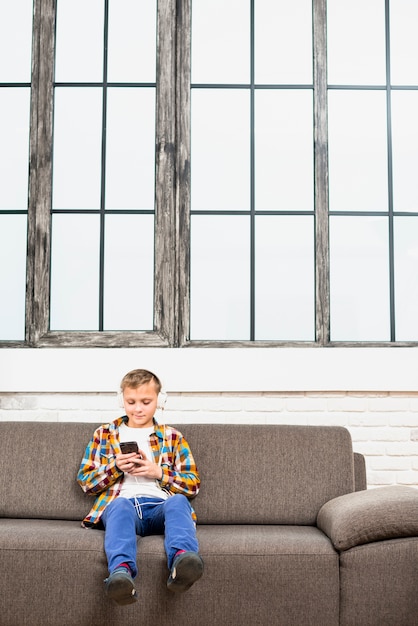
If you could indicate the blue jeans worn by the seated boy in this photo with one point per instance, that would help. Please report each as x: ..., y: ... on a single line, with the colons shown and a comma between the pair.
x: 124, y: 519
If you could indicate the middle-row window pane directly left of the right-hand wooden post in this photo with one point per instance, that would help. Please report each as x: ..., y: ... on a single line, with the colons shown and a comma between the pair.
x: 284, y: 150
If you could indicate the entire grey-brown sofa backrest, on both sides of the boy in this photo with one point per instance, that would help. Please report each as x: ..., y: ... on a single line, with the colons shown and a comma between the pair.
x: 269, y: 474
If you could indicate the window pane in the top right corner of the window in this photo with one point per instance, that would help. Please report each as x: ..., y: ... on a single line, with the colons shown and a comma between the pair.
x: 404, y: 42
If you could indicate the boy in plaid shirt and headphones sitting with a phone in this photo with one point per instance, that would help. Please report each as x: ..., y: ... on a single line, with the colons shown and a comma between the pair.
x: 144, y: 492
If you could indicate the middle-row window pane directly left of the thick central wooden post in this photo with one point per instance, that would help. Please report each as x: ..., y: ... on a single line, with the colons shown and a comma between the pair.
x: 130, y: 162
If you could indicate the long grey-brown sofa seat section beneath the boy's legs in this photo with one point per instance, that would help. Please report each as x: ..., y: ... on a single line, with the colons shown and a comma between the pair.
x: 254, y: 575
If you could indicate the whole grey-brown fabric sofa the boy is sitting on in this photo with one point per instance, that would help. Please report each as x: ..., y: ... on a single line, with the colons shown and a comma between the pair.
x: 287, y: 530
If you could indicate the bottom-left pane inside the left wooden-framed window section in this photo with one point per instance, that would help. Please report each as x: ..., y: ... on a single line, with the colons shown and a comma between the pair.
x: 75, y: 272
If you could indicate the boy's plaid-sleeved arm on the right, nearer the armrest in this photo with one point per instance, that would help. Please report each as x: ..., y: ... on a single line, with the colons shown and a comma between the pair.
x: 182, y: 476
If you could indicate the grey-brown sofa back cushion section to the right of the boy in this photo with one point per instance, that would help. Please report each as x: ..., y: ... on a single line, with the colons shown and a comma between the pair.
x: 268, y: 474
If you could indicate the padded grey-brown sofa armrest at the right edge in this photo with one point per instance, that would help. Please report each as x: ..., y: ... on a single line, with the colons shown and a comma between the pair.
x: 371, y: 515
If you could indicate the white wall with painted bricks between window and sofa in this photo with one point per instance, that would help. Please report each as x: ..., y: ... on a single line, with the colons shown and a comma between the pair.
x: 373, y: 392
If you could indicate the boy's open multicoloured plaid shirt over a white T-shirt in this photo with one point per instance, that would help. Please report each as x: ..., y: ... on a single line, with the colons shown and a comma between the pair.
x: 99, y: 476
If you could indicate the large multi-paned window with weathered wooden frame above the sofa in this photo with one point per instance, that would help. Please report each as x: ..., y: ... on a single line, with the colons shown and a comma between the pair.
x: 208, y: 173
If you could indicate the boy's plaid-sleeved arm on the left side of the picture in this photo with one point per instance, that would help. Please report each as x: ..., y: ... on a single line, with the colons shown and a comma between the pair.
x: 98, y: 468
